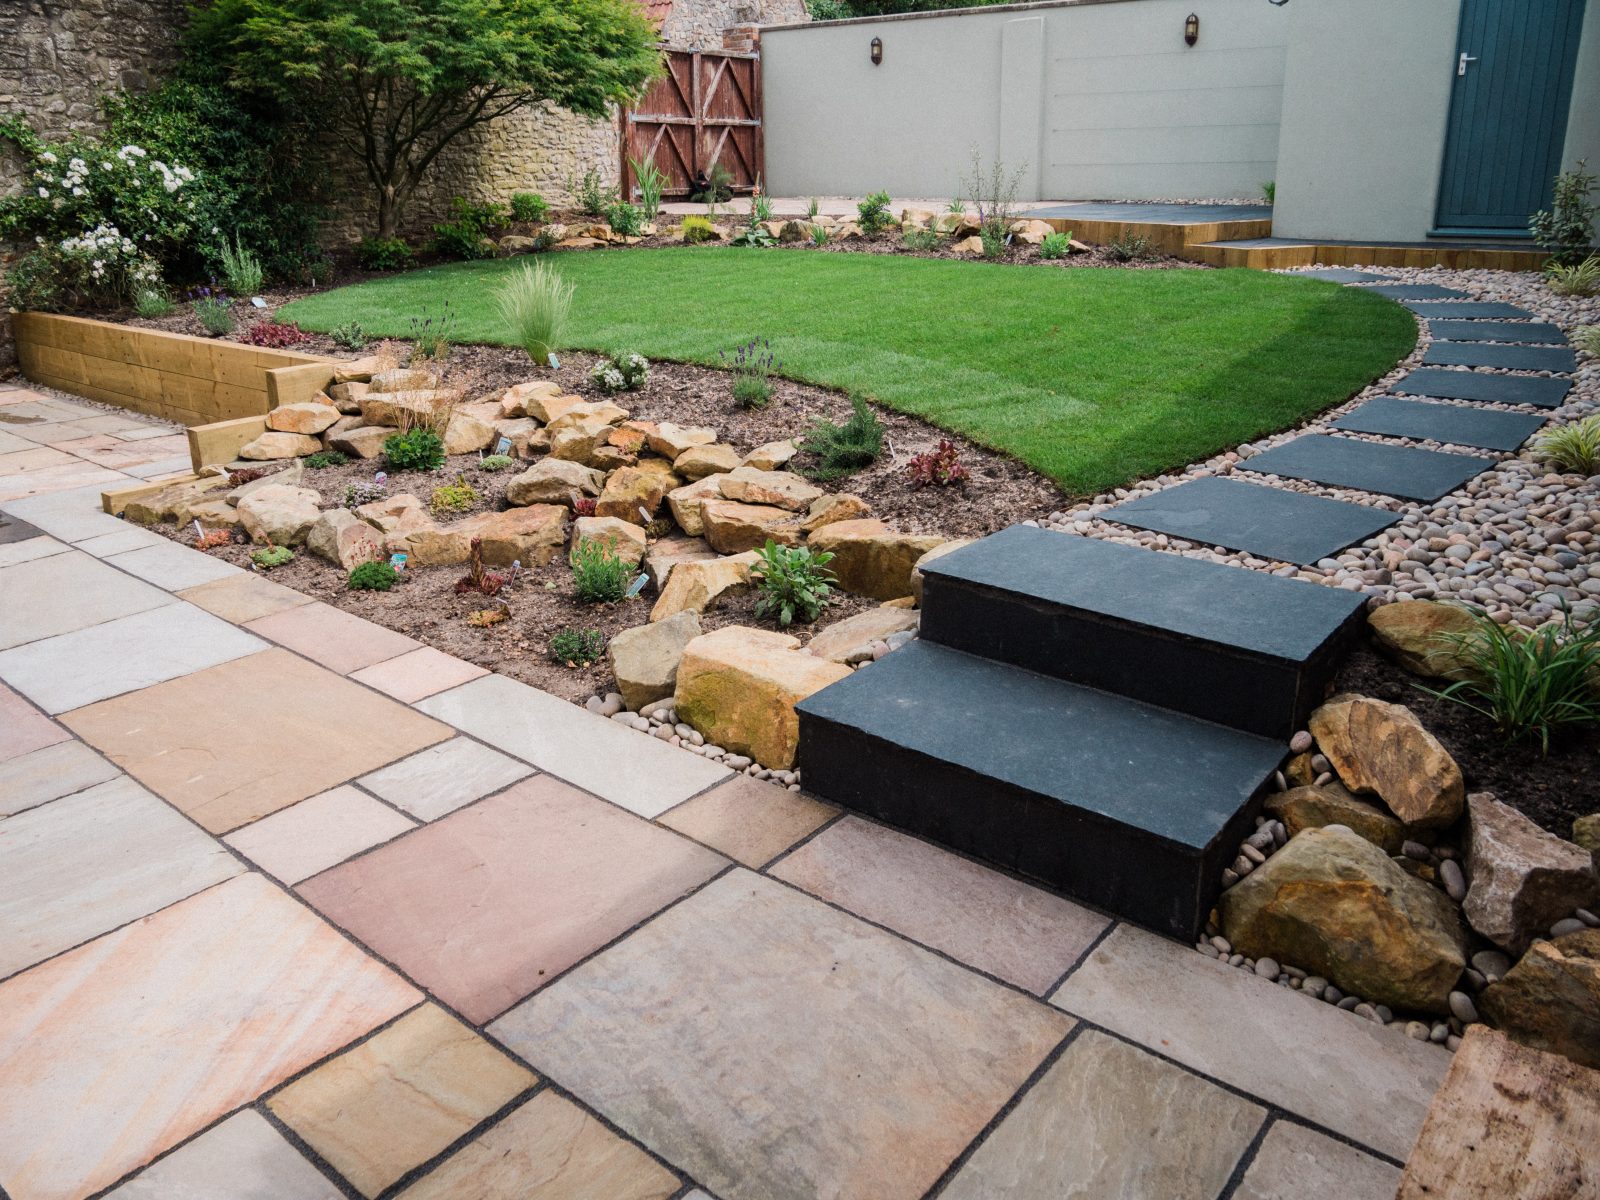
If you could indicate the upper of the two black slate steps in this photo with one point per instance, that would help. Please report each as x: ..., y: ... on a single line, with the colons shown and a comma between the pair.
x: 1223, y: 644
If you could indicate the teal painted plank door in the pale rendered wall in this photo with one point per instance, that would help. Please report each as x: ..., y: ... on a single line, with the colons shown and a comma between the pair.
x: 1508, y: 116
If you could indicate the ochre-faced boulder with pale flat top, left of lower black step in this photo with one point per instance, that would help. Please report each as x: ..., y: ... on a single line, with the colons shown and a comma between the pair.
x: 740, y: 689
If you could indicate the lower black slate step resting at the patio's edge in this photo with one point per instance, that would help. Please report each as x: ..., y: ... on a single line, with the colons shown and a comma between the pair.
x: 1121, y: 804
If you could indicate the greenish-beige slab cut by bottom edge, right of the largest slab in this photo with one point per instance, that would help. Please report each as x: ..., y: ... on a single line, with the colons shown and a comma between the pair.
x: 1111, y: 1121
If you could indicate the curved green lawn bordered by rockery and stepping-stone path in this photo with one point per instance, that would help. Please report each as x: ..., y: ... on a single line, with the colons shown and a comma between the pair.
x: 1092, y: 377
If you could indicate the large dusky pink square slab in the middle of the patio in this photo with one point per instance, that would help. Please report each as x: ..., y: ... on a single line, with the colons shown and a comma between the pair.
x: 492, y: 903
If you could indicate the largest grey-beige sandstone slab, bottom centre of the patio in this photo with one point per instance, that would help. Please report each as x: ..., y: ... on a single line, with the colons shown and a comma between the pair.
x: 775, y: 1047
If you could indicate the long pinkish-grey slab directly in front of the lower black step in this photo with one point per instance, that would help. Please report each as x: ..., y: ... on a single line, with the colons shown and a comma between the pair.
x: 970, y: 913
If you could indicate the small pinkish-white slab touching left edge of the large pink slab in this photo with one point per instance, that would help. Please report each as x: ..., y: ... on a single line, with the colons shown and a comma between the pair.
x: 319, y: 833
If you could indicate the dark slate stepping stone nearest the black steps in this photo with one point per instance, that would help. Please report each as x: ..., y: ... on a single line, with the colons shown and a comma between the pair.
x: 1255, y: 519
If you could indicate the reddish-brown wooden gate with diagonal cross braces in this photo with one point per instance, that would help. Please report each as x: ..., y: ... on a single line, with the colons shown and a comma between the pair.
x: 705, y: 113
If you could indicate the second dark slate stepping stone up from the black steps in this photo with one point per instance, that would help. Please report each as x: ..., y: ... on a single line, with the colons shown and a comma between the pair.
x: 1345, y: 463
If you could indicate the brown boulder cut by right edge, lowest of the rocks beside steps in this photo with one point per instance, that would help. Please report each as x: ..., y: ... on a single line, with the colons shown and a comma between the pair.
x: 1551, y: 999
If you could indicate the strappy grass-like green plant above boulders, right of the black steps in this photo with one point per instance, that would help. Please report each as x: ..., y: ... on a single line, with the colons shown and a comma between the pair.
x: 1530, y: 684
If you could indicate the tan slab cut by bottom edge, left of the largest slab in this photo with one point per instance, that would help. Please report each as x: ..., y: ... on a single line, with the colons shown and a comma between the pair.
x: 548, y: 1150
